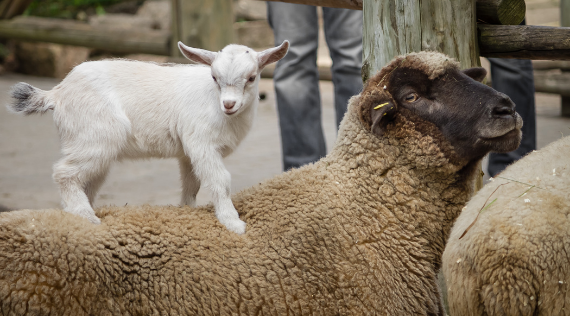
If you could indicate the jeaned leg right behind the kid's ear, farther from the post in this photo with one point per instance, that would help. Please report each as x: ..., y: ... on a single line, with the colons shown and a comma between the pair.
x: 296, y: 83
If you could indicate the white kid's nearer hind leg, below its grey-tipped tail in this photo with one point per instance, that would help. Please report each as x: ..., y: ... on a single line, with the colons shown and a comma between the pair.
x: 73, y: 178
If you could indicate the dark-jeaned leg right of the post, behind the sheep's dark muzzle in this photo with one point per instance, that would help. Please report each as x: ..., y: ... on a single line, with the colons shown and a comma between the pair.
x: 514, y: 77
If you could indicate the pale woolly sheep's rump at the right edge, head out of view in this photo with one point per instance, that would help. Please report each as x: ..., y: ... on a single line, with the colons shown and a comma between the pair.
x: 514, y: 257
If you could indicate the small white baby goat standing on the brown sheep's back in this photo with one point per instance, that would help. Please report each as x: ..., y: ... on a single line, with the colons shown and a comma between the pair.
x: 115, y: 109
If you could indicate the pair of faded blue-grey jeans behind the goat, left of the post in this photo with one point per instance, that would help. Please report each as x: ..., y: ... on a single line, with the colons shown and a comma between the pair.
x: 296, y: 76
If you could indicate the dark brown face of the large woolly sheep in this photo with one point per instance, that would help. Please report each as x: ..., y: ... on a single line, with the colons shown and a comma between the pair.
x: 473, y: 117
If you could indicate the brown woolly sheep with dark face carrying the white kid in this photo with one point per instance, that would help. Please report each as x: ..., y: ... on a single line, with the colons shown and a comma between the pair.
x: 360, y: 232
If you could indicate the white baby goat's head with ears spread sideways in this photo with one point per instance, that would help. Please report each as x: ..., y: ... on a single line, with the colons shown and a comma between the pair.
x: 235, y: 70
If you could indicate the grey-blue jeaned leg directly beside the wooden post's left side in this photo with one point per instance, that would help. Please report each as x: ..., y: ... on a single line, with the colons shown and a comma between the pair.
x: 343, y: 32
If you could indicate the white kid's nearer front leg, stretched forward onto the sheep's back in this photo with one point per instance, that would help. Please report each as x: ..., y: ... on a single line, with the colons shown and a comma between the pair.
x: 209, y: 168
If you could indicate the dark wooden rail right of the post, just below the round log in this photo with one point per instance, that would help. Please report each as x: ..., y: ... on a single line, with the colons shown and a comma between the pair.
x: 524, y: 41
